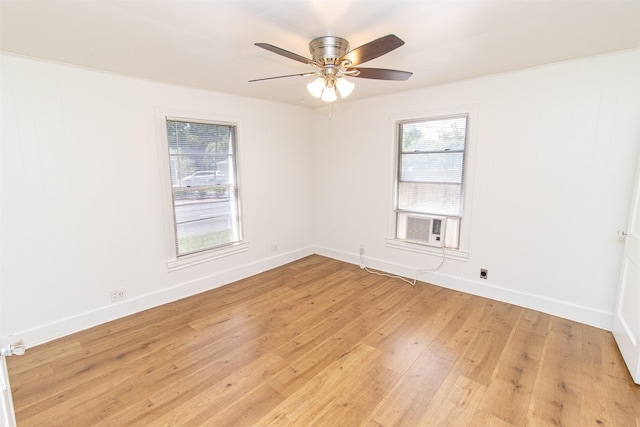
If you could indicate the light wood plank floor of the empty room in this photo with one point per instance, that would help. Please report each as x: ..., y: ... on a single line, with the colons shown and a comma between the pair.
x: 322, y: 343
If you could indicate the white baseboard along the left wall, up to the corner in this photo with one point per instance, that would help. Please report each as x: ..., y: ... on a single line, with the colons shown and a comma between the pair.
x: 89, y: 319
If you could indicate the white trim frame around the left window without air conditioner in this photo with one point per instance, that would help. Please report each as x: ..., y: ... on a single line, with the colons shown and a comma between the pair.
x: 173, y: 261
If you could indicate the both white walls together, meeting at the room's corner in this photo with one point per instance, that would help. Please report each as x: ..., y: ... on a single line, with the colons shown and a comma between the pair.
x: 82, y: 208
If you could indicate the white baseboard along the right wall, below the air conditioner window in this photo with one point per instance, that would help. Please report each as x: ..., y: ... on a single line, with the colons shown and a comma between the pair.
x: 564, y: 309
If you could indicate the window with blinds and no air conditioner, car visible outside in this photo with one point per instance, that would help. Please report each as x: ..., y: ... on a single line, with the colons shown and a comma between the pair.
x: 203, y: 167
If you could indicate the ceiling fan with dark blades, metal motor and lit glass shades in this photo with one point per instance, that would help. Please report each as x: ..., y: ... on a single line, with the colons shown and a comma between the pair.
x: 332, y: 61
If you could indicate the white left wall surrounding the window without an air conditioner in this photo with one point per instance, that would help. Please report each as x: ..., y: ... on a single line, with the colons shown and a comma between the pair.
x: 82, y: 208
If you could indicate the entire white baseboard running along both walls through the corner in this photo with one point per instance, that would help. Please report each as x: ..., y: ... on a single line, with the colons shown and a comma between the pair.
x: 69, y: 325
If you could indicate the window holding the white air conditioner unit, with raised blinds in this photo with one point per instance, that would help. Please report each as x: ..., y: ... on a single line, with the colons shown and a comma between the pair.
x: 430, y: 178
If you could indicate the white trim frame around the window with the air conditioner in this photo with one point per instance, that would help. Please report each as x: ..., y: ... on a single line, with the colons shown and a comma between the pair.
x: 472, y: 113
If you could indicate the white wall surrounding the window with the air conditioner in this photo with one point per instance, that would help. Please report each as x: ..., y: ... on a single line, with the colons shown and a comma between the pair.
x: 555, y: 156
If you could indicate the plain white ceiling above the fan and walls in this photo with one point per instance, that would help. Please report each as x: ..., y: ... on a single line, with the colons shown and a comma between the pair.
x: 210, y: 44
